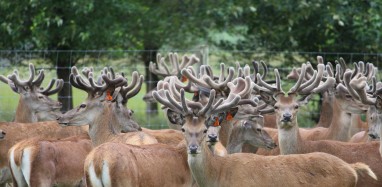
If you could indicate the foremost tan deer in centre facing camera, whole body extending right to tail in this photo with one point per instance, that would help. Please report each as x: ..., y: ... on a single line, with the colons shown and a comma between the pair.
x: 316, y: 169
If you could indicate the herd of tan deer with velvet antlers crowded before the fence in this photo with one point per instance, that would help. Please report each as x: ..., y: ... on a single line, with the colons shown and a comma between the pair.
x: 236, y: 128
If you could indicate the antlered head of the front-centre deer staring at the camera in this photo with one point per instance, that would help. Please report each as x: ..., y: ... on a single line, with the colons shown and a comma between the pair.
x: 195, y: 113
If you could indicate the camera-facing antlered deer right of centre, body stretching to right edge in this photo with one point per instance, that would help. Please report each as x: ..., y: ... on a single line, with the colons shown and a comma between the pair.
x: 290, y: 138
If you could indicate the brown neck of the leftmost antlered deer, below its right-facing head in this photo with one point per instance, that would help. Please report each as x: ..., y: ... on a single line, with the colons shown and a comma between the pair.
x: 24, y: 114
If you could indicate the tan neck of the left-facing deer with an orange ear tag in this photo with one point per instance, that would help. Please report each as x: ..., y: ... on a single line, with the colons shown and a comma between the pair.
x: 104, y: 127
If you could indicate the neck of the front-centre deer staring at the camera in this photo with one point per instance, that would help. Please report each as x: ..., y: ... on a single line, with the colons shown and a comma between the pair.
x: 204, y: 166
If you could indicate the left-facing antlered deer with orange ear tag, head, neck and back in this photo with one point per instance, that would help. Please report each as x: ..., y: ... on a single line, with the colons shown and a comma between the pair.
x: 104, y: 109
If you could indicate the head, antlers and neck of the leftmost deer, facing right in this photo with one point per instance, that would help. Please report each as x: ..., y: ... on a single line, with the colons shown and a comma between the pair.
x: 34, y: 104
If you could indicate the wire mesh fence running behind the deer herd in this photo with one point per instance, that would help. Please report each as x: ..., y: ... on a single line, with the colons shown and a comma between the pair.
x: 127, y: 61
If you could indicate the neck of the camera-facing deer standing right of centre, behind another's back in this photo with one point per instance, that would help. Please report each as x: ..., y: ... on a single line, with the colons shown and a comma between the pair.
x: 289, y: 138
